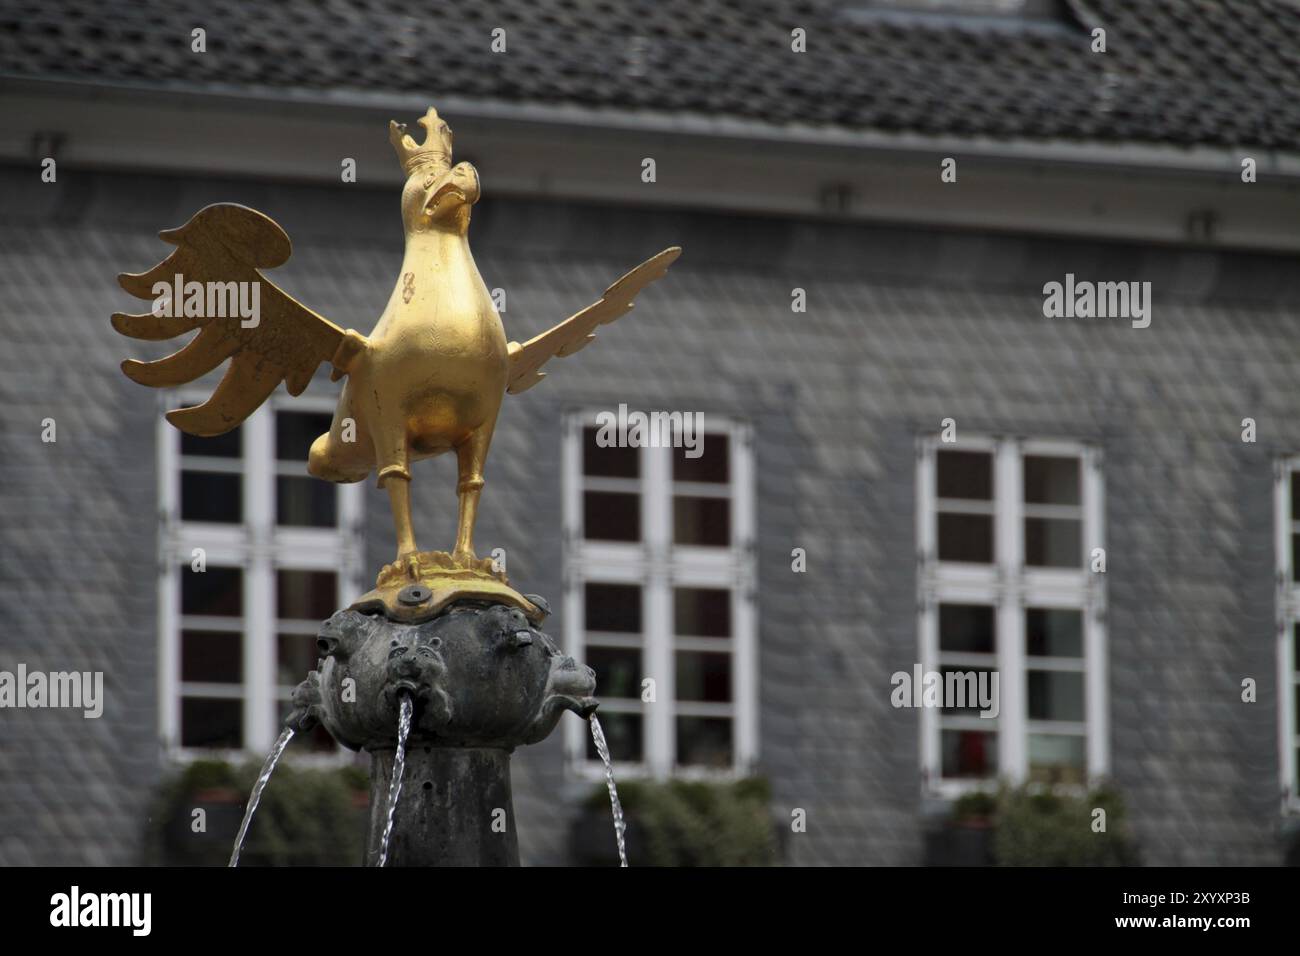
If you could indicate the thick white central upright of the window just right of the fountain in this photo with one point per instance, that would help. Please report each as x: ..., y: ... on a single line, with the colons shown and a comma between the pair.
x: 660, y: 723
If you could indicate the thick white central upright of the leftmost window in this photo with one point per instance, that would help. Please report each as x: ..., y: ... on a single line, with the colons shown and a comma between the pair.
x: 259, y: 586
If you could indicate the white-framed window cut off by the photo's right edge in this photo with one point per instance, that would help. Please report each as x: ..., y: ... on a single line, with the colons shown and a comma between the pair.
x: 1288, y: 512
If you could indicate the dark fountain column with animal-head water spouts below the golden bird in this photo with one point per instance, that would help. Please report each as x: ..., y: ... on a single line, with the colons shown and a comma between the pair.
x: 458, y: 690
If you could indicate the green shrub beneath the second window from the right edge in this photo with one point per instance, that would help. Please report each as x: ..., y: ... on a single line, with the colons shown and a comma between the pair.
x: 1038, y: 828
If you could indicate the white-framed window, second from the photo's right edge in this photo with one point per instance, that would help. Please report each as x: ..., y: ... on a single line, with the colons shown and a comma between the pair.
x: 1012, y: 581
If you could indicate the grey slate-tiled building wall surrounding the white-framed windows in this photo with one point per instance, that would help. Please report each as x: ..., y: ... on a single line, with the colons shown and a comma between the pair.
x: 904, y: 328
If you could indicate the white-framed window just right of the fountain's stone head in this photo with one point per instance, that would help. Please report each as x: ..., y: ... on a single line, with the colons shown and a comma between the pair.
x: 660, y: 579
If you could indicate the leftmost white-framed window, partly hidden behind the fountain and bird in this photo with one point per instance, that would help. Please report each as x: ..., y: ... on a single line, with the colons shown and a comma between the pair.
x: 255, y: 555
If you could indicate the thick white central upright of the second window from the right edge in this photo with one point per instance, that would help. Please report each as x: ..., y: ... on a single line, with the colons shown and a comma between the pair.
x: 1009, y: 535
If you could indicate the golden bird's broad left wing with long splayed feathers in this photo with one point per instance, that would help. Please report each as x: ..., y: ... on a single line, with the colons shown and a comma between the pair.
x: 222, y: 248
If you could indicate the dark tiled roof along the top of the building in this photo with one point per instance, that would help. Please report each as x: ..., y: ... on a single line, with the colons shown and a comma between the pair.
x: 1177, y: 72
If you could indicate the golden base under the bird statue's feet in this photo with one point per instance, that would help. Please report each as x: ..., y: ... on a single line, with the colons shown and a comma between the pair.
x: 421, y: 586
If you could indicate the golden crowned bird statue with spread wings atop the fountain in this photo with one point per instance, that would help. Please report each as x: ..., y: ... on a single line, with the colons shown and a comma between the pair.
x: 430, y: 379
